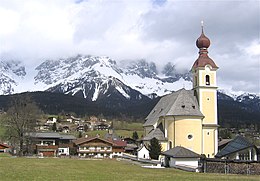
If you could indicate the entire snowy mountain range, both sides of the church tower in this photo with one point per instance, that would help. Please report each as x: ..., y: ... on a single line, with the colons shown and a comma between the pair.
x: 95, y: 78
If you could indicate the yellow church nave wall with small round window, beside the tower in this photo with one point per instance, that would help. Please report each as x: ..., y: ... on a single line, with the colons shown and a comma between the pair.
x: 186, y: 127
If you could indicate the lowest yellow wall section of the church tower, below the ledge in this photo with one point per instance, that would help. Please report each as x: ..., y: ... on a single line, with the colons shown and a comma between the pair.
x: 209, y: 142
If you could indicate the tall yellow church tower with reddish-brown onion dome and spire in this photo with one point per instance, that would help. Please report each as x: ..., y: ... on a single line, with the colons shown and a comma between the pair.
x: 205, y: 89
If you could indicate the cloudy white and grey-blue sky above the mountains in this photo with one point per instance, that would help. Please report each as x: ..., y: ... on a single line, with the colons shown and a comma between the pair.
x: 161, y: 31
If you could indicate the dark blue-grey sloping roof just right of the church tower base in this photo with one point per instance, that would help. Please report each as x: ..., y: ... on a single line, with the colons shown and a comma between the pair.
x: 237, y: 144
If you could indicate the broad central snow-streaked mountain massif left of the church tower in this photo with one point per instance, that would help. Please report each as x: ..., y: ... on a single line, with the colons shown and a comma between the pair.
x: 92, y: 77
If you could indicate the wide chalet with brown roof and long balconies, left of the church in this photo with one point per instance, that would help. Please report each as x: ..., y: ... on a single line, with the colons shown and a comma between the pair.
x: 95, y: 147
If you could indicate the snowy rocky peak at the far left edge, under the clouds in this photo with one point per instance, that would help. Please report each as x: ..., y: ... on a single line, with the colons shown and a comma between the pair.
x: 11, y: 73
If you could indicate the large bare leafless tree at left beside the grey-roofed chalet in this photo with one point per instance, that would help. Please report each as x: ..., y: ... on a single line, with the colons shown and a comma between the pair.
x: 20, y: 120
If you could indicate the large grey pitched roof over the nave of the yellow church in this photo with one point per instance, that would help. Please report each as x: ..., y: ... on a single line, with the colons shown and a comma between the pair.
x: 179, y: 103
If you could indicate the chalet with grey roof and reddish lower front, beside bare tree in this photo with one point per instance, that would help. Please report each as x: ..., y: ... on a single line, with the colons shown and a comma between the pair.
x: 51, y: 144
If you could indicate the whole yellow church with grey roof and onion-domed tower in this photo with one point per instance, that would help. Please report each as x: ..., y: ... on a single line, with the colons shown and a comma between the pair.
x: 188, y: 118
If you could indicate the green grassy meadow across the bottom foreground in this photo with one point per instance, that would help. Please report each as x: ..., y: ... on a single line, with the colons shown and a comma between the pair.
x: 76, y: 169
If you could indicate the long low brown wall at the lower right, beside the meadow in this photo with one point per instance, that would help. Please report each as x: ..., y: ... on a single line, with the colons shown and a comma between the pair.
x: 231, y: 166
